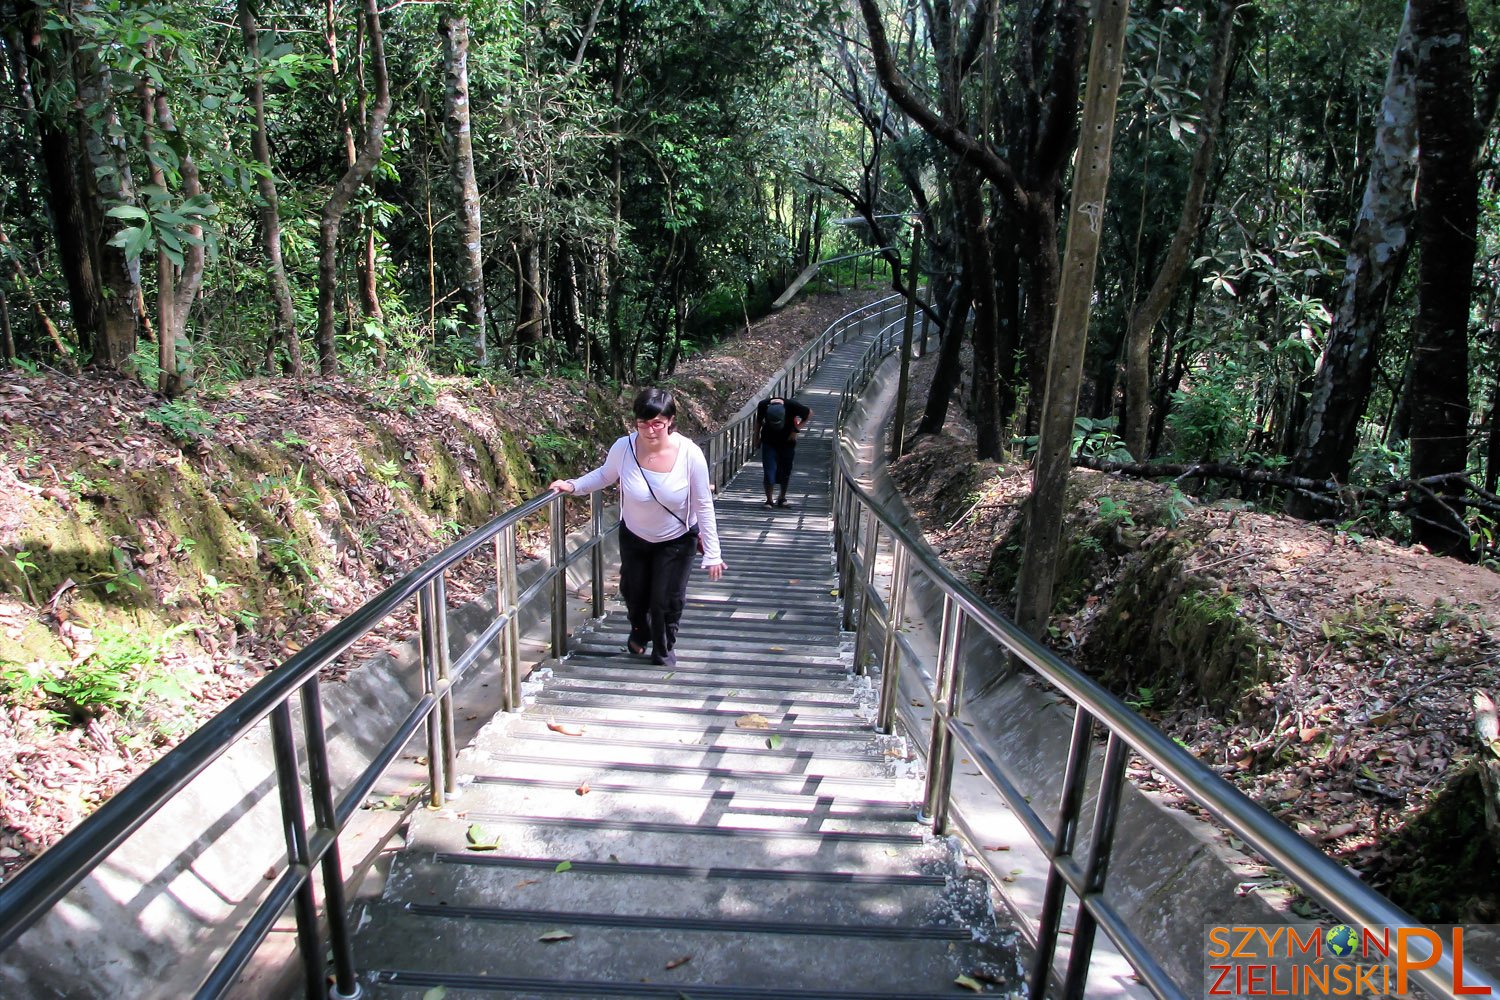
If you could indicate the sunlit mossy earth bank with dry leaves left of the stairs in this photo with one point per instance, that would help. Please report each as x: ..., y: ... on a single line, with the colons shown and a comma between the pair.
x: 157, y: 560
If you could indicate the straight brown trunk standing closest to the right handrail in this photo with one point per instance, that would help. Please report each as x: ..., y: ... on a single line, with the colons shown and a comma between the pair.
x: 1048, y: 503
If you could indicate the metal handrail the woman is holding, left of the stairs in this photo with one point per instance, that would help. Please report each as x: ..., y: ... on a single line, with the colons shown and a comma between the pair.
x: 34, y: 891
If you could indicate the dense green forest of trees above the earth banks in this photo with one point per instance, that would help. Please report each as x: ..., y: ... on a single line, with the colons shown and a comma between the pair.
x: 1247, y: 247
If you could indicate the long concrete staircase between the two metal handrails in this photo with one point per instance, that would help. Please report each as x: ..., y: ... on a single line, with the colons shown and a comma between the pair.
x: 727, y: 828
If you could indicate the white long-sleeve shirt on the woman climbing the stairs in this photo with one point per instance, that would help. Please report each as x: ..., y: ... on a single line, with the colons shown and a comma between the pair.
x: 683, y: 490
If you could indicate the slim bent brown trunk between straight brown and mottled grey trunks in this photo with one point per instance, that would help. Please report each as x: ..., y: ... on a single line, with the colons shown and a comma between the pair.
x: 1148, y: 314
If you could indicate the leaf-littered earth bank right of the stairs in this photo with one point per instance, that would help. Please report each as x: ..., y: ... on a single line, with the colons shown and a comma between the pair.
x: 1328, y: 675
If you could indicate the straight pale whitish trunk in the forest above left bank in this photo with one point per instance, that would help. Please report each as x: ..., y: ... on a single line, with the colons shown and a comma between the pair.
x: 466, y: 187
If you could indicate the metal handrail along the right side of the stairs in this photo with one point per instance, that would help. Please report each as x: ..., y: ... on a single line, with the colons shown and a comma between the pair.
x: 862, y: 524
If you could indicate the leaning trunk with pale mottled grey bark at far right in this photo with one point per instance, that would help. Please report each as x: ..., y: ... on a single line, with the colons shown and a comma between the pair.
x: 1378, y: 254
